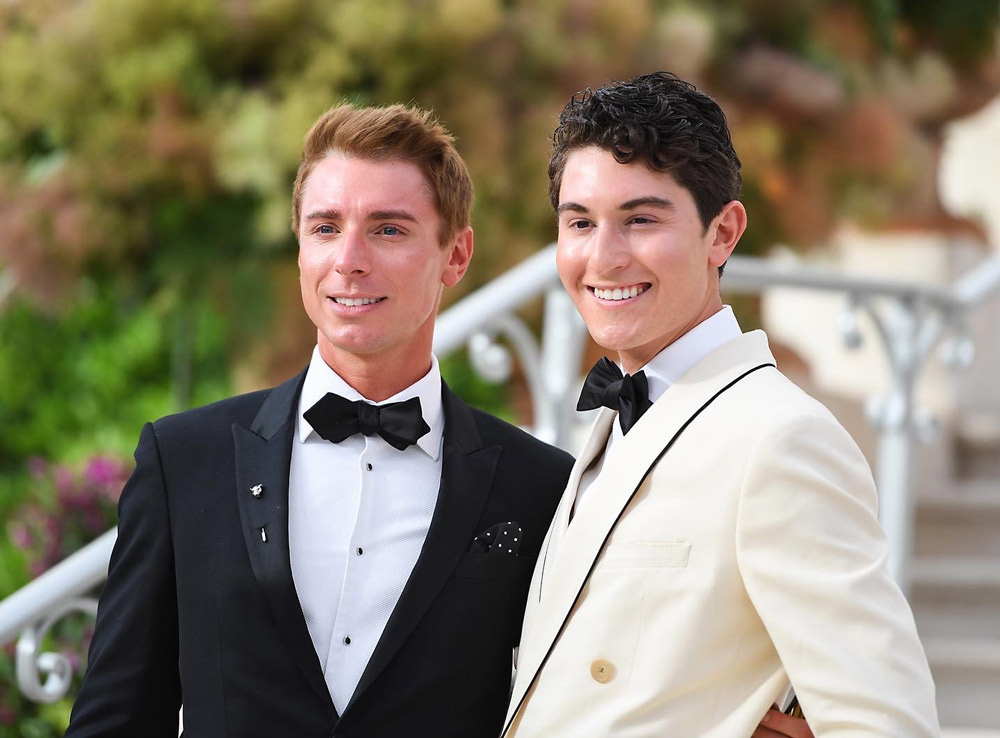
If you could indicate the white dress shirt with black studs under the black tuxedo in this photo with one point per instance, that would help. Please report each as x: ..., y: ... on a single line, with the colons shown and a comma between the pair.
x: 358, y: 514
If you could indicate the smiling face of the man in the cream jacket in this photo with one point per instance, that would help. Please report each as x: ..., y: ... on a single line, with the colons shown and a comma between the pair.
x: 634, y: 255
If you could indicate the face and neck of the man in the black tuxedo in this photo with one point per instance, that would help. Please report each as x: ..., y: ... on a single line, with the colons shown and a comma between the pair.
x: 372, y: 268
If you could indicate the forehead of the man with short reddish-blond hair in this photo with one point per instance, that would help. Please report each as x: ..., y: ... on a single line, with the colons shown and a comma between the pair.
x: 343, y: 181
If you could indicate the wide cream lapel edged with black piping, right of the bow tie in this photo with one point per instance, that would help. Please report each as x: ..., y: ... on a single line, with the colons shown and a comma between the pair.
x: 624, y: 471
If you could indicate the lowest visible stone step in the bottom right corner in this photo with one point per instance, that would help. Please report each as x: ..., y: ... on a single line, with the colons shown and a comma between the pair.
x: 967, y: 677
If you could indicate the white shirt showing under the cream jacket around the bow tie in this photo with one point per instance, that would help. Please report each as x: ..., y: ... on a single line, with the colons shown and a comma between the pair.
x: 666, y: 368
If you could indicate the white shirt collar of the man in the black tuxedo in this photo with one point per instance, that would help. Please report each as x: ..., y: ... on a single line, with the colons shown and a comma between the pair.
x: 320, y: 379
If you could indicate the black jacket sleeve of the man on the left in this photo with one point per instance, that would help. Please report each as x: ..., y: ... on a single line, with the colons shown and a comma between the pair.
x: 132, y: 684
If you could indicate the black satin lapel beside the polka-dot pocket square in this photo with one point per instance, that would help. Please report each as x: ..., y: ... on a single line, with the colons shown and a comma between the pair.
x: 466, y: 480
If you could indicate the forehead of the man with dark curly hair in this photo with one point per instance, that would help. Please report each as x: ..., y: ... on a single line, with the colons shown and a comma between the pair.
x: 593, y: 174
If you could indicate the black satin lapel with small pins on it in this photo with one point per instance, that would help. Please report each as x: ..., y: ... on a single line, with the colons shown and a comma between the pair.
x: 263, y: 457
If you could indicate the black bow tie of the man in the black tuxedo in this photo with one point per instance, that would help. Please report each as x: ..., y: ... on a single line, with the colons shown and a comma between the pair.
x: 336, y: 418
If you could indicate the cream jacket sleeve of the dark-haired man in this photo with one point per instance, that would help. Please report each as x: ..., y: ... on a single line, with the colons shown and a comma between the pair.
x: 812, y: 556
